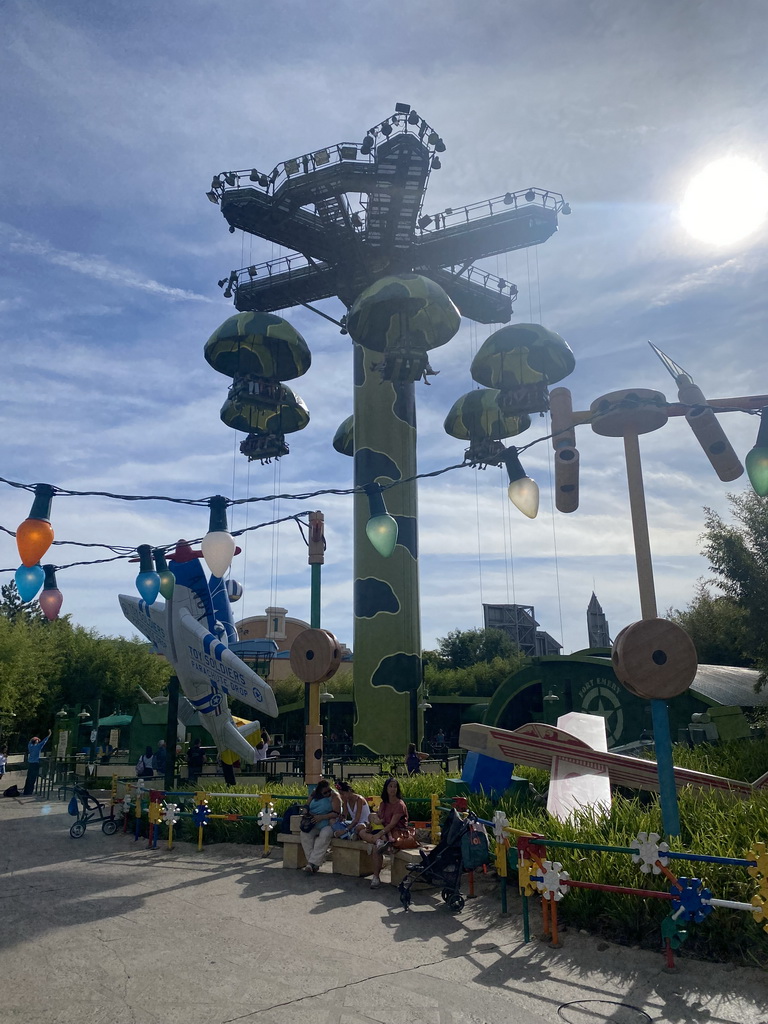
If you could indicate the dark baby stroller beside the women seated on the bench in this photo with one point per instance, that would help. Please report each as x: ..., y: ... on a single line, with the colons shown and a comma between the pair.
x: 463, y: 847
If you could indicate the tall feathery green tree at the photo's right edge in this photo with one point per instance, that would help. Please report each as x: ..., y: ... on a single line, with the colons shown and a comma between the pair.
x: 739, y: 558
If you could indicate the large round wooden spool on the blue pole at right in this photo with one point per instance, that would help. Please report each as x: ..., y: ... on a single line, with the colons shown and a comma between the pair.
x: 655, y: 659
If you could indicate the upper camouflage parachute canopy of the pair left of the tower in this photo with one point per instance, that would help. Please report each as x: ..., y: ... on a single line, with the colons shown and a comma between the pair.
x: 260, y: 346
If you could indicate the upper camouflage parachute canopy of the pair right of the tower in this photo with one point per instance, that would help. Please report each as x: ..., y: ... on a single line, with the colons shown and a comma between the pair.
x: 523, y: 354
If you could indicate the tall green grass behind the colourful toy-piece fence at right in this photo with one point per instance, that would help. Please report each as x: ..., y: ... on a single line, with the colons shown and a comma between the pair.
x: 711, y: 823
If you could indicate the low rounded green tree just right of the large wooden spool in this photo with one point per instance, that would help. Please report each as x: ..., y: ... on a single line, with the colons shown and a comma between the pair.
x: 717, y: 625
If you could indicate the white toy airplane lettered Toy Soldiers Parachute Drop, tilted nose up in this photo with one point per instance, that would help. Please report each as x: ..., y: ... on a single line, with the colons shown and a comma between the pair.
x: 187, y: 631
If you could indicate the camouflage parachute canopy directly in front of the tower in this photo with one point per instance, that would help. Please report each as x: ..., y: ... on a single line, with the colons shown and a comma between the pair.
x: 403, y: 311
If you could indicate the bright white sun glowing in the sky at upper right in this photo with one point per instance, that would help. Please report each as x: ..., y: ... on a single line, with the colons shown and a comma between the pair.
x: 728, y: 201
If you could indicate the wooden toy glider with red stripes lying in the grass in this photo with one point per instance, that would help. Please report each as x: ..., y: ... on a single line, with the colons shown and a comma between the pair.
x: 536, y: 745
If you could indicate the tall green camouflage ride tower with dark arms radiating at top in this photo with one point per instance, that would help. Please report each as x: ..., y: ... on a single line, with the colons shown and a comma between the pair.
x: 354, y: 215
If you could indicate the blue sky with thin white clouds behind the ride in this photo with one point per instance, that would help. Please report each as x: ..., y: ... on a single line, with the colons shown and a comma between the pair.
x: 116, y: 117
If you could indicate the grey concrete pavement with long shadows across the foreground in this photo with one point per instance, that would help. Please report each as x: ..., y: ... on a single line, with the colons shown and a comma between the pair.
x: 103, y: 931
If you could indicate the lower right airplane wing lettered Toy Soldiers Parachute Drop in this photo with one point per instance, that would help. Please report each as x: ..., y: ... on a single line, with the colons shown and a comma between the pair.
x: 201, y: 654
